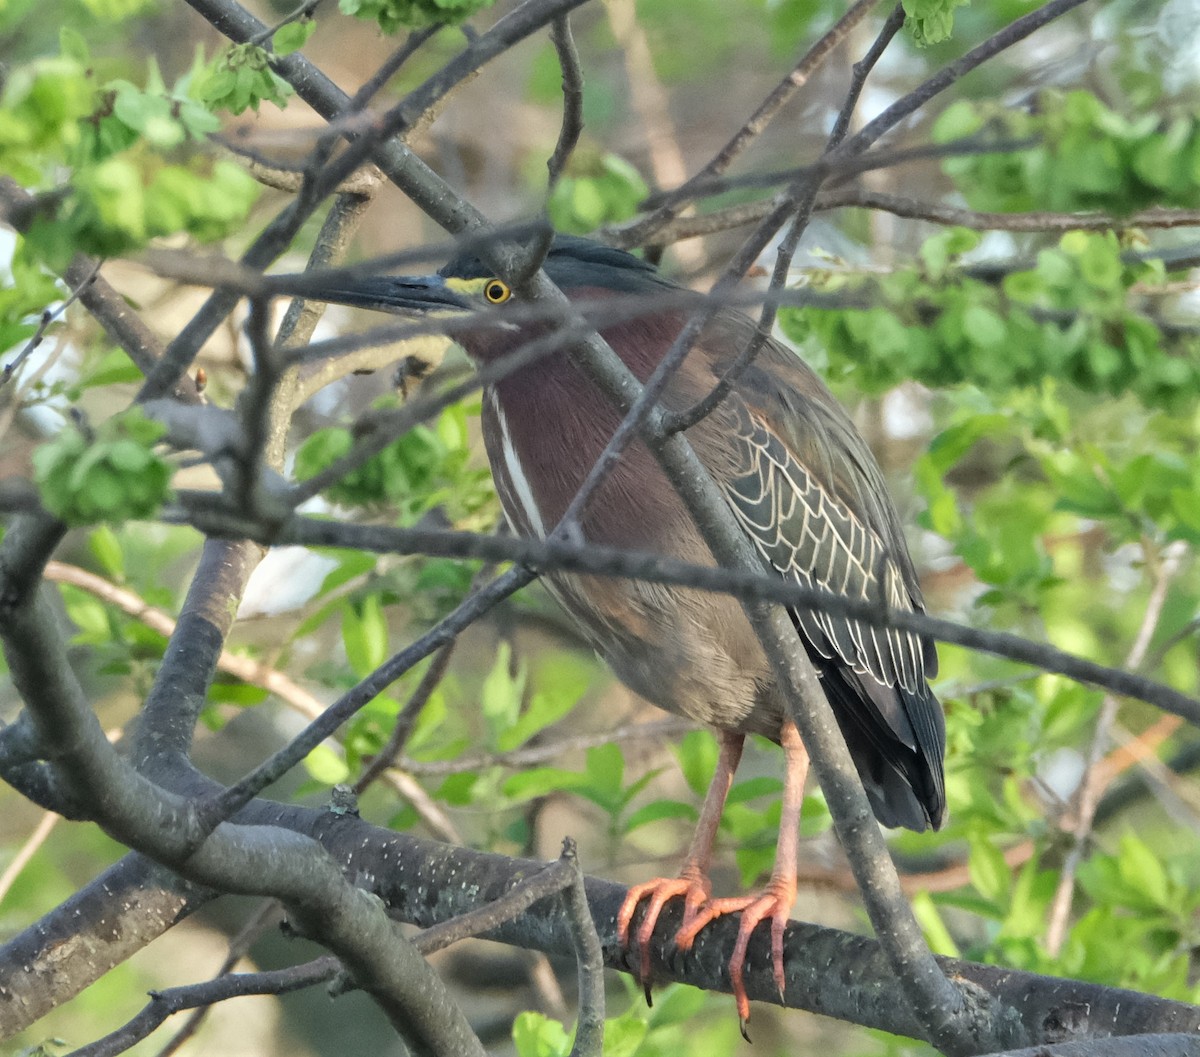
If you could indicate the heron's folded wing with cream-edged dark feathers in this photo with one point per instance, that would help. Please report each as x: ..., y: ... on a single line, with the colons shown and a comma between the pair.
x: 812, y: 499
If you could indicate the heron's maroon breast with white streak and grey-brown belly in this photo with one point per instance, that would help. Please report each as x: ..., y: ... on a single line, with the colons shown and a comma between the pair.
x: 689, y: 652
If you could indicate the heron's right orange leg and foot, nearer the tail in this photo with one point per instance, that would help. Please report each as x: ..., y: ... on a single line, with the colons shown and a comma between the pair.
x: 776, y: 900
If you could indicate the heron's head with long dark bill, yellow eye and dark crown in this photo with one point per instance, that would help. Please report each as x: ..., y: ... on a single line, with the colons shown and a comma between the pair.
x: 469, y: 289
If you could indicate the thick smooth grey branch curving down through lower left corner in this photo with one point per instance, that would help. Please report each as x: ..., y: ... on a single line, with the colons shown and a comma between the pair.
x: 260, y: 861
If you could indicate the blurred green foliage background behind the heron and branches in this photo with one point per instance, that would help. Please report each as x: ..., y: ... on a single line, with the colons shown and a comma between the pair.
x: 1034, y: 395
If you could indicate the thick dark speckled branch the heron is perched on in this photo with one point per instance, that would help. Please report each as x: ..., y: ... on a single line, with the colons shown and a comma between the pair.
x: 425, y: 882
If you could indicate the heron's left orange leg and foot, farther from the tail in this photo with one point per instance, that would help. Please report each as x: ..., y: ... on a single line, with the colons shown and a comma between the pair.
x: 693, y: 882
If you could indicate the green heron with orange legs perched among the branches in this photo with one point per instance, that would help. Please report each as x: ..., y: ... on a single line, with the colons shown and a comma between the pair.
x: 808, y: 493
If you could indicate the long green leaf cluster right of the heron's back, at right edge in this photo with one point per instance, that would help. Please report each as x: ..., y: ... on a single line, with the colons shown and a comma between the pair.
x: 1067, y: 319
